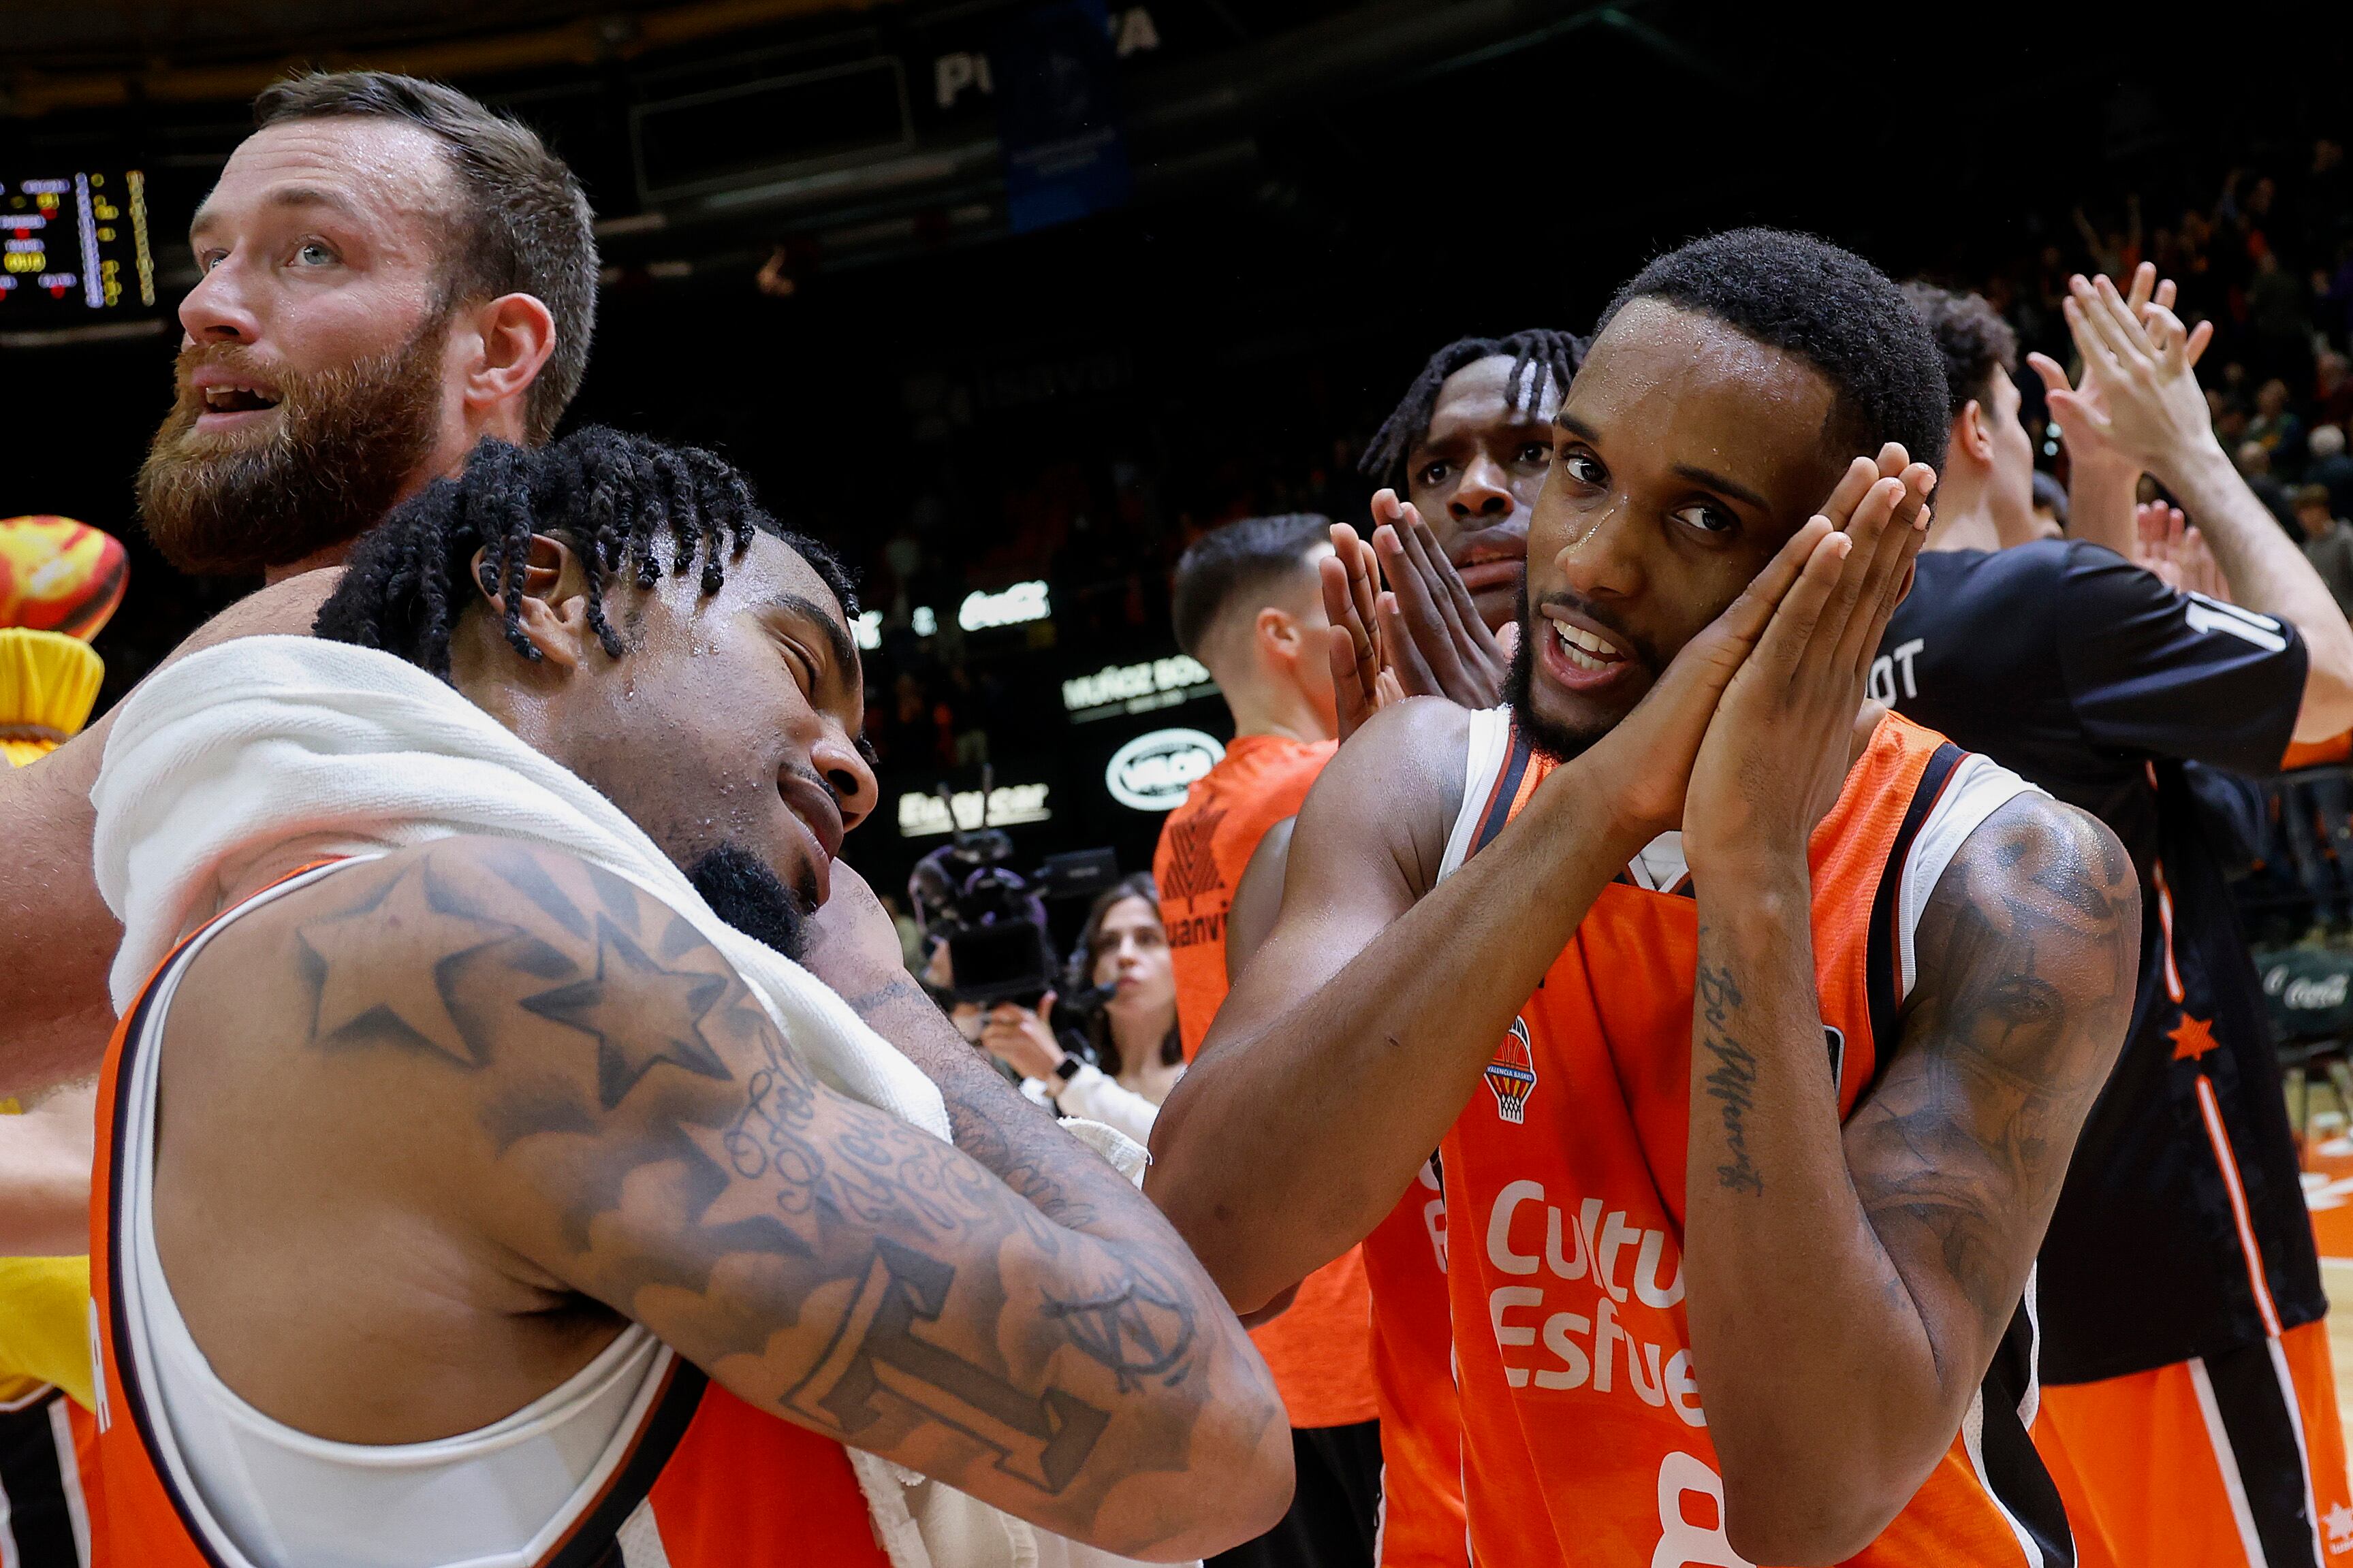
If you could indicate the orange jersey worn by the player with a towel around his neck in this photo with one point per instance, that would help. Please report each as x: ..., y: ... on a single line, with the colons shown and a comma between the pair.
x: 707, y: 1482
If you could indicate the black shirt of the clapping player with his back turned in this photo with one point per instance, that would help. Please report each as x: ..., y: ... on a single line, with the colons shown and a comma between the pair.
x: 2182, y: 1226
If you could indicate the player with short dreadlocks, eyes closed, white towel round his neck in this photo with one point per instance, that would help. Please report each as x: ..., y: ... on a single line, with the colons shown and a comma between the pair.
x: 481, y: 1139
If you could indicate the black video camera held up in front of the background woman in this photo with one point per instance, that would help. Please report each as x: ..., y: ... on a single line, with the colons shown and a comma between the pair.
x: 992, y: 918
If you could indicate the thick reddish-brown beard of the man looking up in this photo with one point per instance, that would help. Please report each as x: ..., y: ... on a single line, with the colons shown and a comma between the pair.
x: 345, y: 445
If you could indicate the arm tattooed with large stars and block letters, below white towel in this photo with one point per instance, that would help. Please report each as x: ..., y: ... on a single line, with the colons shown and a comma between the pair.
x: 651, y: 1141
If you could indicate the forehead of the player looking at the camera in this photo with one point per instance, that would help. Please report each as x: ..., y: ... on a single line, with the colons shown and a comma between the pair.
x: 1674, y: 387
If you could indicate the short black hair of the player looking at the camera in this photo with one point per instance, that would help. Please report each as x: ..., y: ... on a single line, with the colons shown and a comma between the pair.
x: 1825, y: 307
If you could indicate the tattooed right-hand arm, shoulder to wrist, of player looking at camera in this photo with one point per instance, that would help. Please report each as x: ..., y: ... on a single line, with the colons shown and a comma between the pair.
x: 1848, y: 1289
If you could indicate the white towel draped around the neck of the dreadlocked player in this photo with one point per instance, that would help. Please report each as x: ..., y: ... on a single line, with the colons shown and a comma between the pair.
x: 267, y: 751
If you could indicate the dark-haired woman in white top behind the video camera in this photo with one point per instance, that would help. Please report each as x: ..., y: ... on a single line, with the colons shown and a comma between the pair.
x: 1133, y: 1036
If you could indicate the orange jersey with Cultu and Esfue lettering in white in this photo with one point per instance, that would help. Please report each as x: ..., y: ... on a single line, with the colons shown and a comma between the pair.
x: 1585, y: 1428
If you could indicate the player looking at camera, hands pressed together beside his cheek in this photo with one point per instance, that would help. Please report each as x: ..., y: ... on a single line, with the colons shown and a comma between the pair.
x: 1740, y: 1195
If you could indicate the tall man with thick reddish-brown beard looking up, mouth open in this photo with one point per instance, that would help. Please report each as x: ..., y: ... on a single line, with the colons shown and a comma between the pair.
x: 392, y: 274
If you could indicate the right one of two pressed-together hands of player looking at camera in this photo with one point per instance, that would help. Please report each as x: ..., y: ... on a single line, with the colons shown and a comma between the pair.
x: 1782, y: 735
